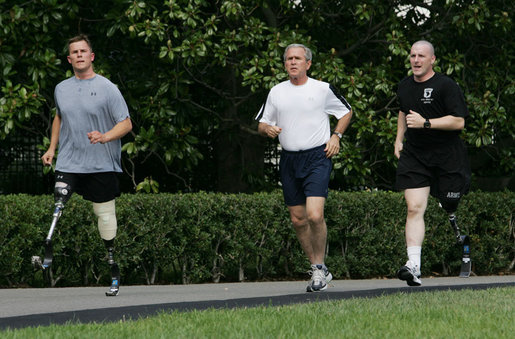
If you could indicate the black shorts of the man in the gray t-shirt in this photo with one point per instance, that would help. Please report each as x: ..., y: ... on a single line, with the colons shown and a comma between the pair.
x: 95, y: 187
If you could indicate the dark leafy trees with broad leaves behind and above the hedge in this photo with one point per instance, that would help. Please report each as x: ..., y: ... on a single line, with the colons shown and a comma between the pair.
x: 196, y: 72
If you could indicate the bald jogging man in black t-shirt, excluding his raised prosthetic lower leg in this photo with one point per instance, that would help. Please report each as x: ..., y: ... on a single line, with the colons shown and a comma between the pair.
x: 432, y: 157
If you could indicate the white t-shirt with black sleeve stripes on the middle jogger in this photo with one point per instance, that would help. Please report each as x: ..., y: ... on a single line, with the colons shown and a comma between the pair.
x: 303, y: 113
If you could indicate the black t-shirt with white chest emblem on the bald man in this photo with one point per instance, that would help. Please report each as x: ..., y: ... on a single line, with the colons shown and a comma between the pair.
x: 434, y: 98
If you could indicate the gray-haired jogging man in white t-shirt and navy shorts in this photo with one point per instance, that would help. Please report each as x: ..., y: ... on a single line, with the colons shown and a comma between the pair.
x: 297, y: 111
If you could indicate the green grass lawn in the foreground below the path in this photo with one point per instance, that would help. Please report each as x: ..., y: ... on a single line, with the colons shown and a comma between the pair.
x: 442, y: 314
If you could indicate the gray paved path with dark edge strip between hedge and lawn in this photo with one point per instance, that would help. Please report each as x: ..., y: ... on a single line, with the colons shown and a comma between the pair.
x: 21, y: 308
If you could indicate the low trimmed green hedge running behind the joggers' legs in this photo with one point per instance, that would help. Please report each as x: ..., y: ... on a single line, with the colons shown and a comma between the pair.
x: 206, y: 237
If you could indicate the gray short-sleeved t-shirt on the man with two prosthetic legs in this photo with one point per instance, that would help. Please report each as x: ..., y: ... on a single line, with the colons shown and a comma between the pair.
x: 84, y: 106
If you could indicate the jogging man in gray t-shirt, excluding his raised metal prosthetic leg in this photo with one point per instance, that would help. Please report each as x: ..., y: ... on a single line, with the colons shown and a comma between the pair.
x: 91, y: 118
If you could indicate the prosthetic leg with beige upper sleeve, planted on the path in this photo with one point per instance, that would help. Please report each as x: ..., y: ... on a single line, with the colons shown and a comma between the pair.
x: 107, y: 227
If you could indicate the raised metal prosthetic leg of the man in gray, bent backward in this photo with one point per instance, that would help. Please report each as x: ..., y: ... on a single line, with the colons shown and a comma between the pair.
x: 62, y: 193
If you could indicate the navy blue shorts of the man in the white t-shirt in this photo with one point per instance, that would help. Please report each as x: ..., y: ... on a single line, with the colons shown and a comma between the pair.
x: 304, y: 174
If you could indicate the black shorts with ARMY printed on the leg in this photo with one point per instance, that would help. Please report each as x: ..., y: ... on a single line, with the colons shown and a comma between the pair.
x: 446, y: 170
